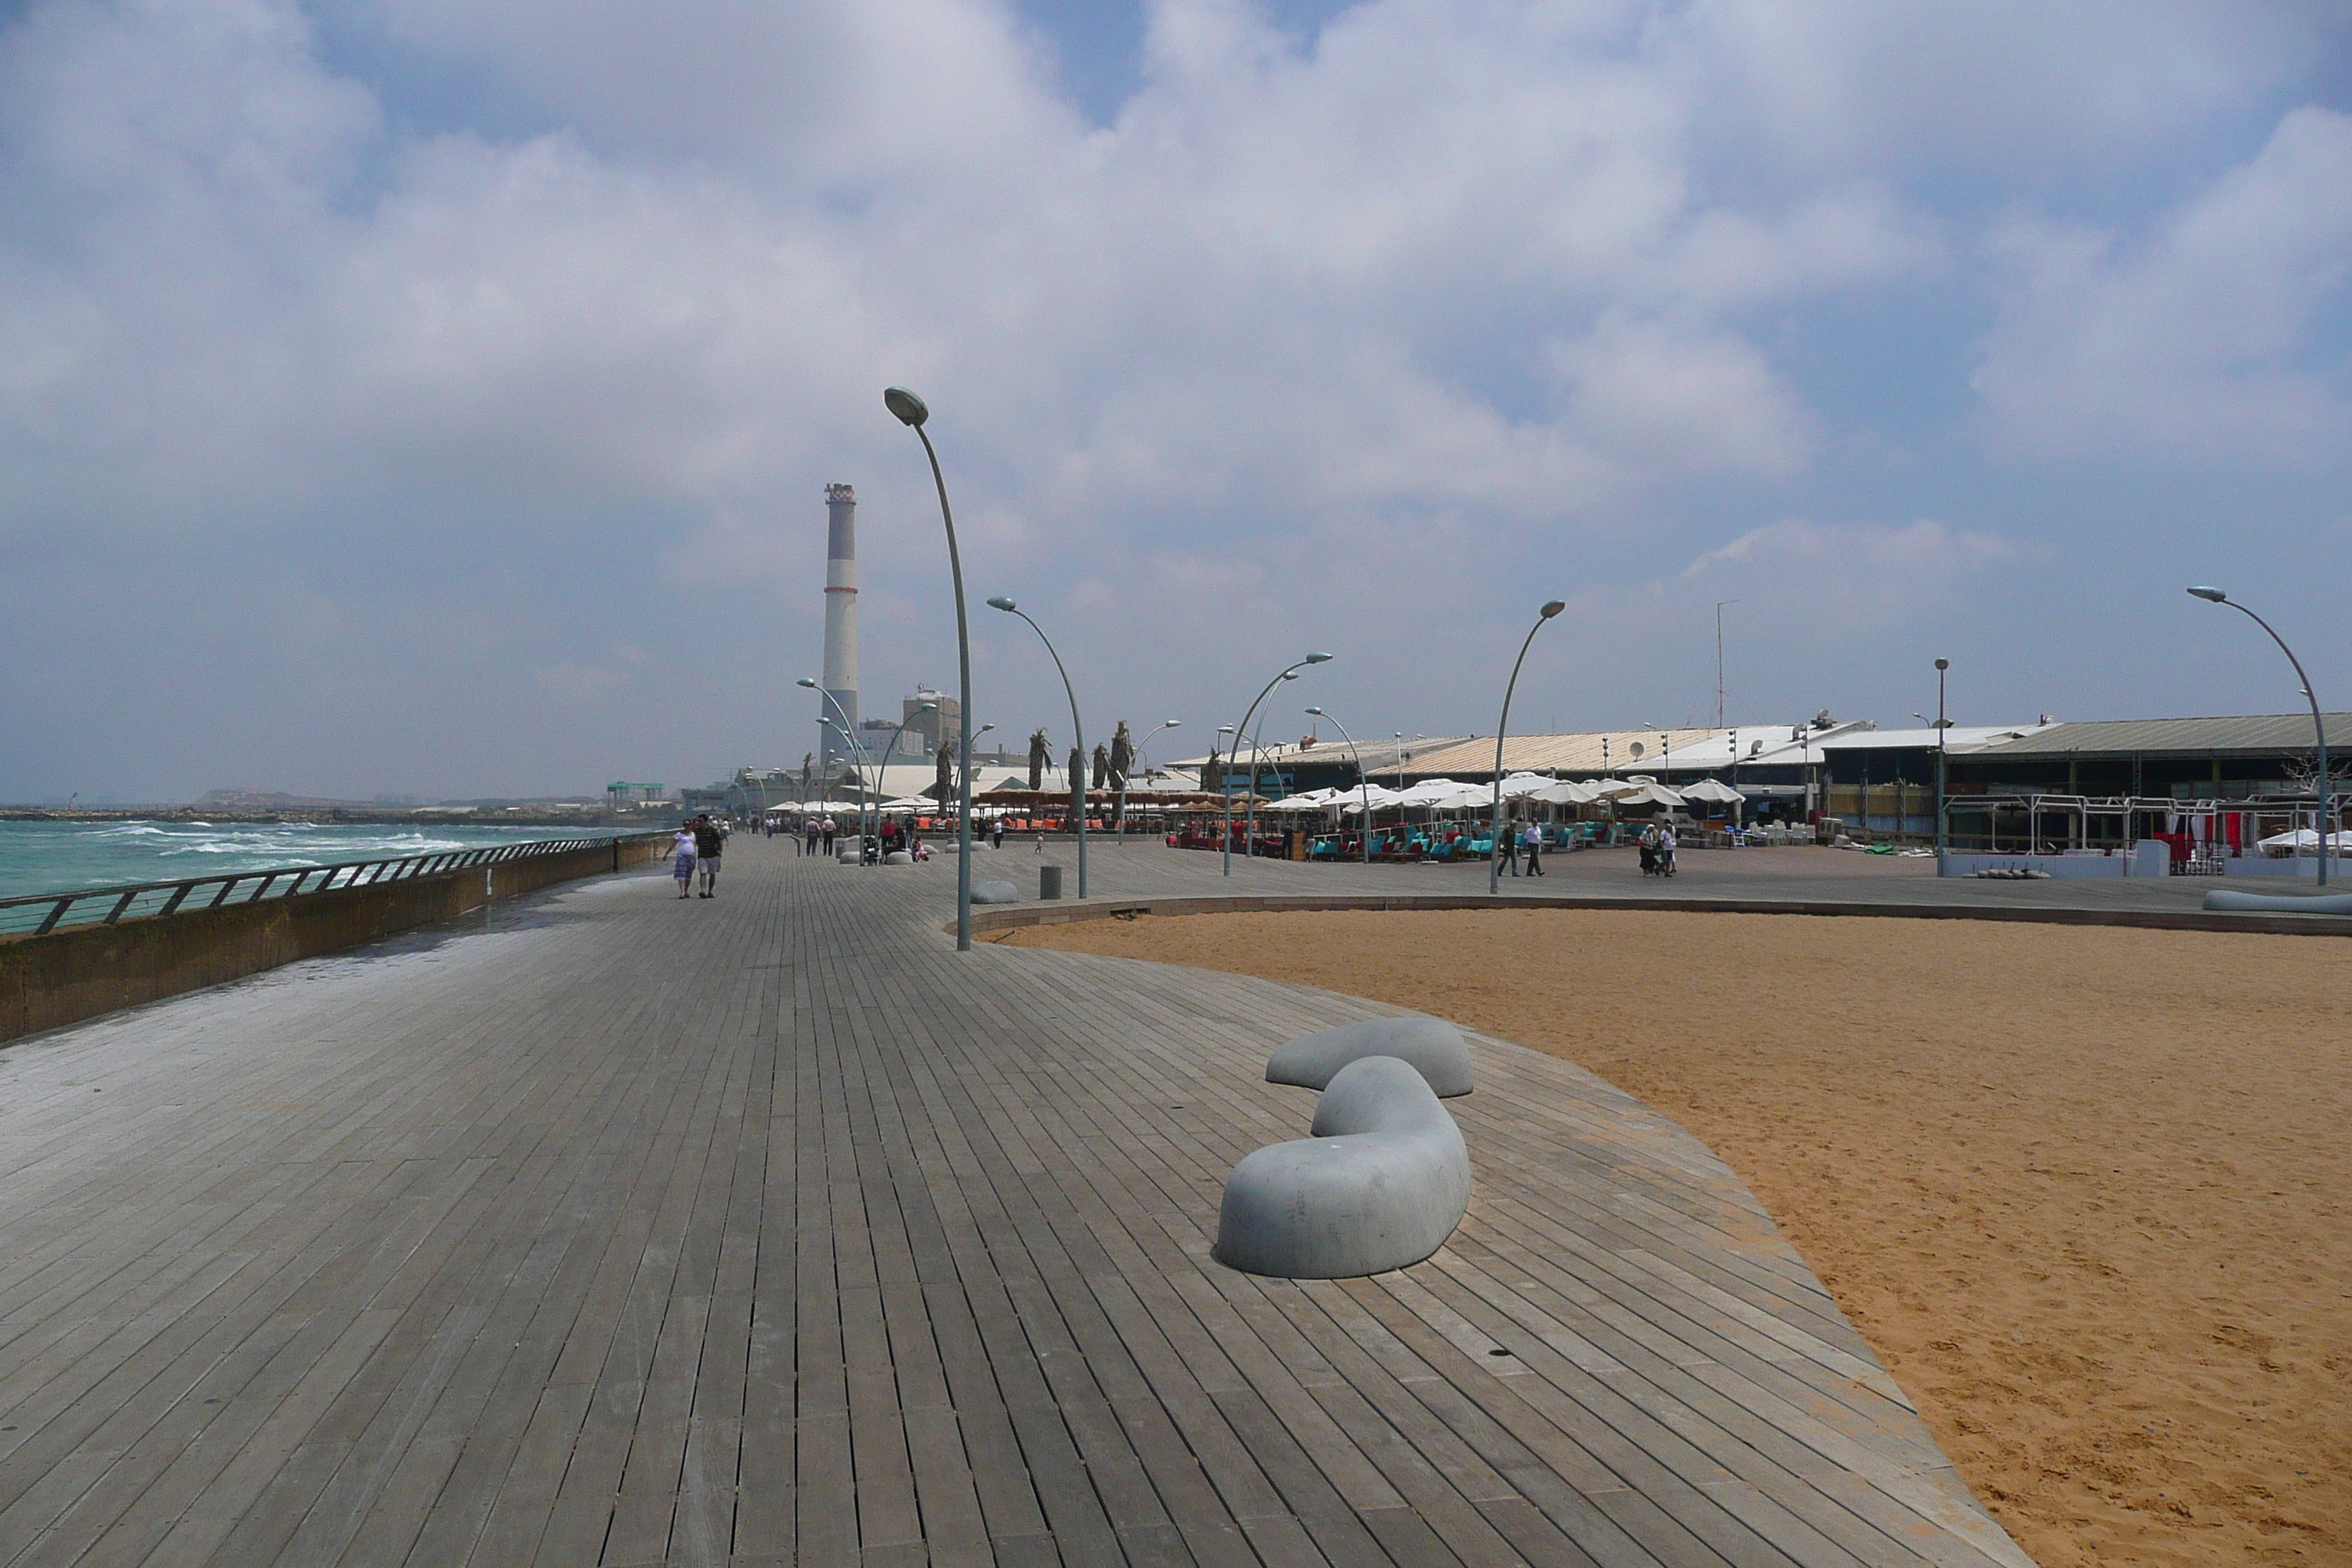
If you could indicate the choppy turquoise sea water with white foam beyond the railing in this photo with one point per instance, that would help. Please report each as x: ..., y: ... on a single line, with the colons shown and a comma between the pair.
x: 62, y: 857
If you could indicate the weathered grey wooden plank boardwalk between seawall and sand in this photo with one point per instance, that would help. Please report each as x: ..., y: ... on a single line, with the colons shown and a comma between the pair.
x: 770, y: 1231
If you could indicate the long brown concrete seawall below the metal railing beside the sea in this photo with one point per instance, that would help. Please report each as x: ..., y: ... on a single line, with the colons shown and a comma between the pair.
x: 48, y: 981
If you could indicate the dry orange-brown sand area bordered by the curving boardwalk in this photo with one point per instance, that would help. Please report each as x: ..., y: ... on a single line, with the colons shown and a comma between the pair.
x: 2083, y: 1188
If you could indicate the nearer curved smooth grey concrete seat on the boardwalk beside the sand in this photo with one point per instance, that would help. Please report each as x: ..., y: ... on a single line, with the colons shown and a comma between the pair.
x: 1379, y: 1186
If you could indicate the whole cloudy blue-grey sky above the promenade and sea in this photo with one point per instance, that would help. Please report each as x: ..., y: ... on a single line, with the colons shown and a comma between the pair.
x: 439, y: 396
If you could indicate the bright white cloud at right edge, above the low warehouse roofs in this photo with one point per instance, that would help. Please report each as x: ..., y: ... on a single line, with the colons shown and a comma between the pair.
x: 2196, y: 342
